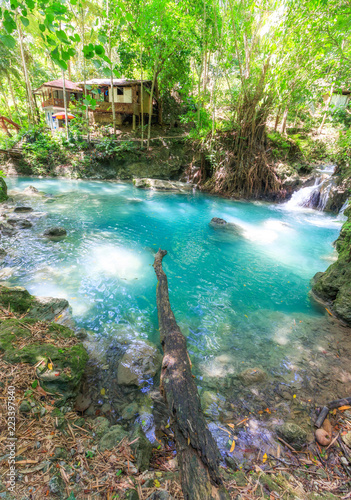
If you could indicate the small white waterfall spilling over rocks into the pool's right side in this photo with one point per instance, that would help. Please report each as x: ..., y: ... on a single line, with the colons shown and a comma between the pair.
x: 315, y: 196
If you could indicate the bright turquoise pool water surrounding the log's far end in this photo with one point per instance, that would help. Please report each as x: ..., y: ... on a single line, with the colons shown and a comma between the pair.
x: 232, y: 295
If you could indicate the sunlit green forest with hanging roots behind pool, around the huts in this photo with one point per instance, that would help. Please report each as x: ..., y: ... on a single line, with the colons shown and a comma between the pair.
x: 224, y: 70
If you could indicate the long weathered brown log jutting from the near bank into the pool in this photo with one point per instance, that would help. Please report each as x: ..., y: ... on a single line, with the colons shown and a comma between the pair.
x: 197, y: 451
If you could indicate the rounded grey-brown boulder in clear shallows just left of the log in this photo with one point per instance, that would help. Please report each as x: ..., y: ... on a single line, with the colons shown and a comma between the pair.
x: 139, y: 363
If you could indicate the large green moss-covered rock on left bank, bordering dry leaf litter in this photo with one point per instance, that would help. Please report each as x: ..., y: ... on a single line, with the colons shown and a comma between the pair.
x: 69, y: 363
